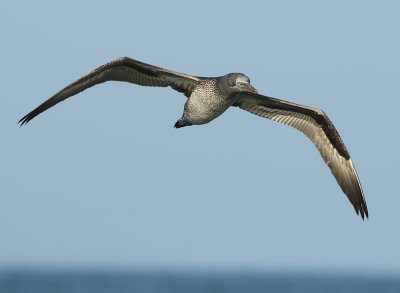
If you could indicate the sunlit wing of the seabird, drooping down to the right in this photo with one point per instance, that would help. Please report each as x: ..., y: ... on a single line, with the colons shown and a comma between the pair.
x: 315, y: 124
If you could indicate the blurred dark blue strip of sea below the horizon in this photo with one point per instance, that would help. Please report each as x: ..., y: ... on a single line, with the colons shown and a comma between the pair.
x: 43, y: 281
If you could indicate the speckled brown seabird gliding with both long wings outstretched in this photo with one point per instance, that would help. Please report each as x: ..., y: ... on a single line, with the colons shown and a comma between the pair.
x: 209, y: 97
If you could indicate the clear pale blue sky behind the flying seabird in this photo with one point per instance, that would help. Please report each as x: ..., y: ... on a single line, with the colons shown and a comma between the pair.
x: 103, y: 179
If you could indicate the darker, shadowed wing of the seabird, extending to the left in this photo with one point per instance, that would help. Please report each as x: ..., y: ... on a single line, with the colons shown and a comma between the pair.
x: 121, y: 69
